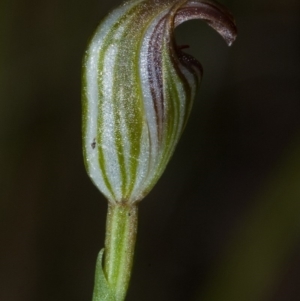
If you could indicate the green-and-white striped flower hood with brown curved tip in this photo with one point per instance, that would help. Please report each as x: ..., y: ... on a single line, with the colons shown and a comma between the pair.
x: 138, y: 90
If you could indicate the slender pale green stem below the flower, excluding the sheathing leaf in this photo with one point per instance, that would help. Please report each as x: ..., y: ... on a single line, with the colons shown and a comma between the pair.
x: 121, y: 228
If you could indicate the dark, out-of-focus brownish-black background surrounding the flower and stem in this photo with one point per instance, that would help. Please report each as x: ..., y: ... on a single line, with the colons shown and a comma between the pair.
x: 223, y: 223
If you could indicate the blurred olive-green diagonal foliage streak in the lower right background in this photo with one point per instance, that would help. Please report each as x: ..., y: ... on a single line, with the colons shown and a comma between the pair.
x: 256, y: 257
